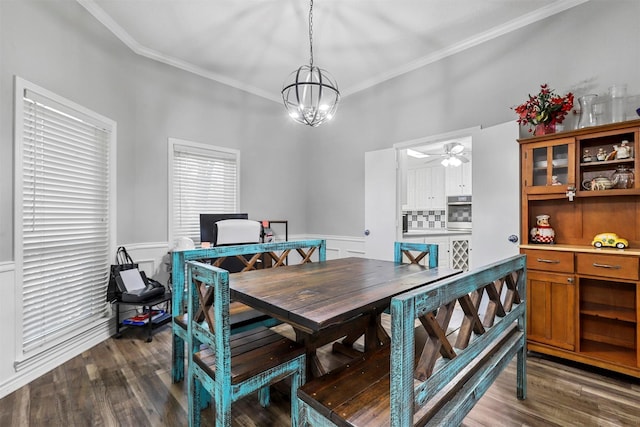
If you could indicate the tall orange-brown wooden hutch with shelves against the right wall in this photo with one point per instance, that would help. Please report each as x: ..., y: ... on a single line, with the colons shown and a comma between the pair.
x: 583, y: 303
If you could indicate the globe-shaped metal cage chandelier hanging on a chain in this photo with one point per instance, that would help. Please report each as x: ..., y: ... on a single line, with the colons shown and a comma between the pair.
x: 310, y: 94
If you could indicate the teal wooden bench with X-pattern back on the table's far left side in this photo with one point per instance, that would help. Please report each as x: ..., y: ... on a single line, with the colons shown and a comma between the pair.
x: 242, y: 317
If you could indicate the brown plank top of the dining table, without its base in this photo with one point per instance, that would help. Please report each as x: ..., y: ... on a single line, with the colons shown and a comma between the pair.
x: 317, y: 295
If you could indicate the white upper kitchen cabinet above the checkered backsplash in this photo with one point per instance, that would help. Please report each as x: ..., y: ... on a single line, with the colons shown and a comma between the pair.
x: 425, y: 188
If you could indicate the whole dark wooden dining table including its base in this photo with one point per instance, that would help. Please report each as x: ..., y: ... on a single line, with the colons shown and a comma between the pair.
x: 337, y: 300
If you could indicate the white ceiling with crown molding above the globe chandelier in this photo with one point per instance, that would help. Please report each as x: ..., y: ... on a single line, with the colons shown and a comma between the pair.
x: 253, y: 45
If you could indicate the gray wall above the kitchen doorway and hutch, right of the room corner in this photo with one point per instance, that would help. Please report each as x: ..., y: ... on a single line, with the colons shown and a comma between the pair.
x: 585, y: 49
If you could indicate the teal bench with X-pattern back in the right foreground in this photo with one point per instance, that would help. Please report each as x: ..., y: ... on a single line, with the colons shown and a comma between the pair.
x: 429, y: 375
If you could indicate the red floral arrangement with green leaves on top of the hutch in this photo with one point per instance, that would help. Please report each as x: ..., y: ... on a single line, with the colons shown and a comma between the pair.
x: 546, y: 108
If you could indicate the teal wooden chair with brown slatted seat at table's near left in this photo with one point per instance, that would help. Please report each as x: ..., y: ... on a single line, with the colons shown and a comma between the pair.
x: 230, y: 367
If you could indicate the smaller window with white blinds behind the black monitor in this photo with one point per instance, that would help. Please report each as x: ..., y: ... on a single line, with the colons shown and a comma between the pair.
x: 203, y: 179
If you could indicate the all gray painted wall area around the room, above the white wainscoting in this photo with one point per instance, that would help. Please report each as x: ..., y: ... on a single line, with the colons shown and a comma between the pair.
x: 313, y: 177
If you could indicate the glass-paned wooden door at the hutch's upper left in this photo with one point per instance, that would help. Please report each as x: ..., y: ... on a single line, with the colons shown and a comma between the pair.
x: 549, y: 166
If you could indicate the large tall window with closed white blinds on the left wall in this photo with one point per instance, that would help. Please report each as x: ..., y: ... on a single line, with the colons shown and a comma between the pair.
x: 64, y: 205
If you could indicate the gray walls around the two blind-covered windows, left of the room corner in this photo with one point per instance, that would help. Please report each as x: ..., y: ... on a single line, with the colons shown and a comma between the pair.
x: 61, y: 47
